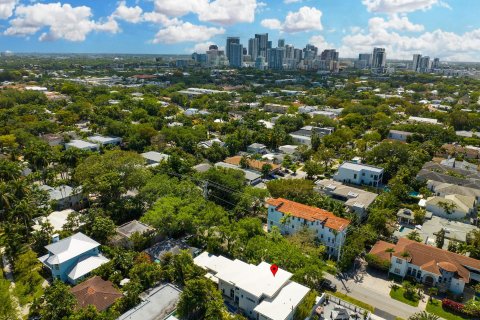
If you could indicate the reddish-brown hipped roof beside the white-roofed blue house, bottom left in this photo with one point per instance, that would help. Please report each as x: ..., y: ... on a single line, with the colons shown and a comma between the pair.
x: 97, y: 292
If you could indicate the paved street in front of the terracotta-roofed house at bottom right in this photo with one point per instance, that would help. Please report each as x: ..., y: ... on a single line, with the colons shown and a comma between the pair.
x: 374, y: 296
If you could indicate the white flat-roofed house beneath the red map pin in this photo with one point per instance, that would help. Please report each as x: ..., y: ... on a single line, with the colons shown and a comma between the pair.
x: 253, y: 288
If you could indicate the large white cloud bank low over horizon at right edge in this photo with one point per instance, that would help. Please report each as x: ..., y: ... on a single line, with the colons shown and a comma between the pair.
x: 438, y: 43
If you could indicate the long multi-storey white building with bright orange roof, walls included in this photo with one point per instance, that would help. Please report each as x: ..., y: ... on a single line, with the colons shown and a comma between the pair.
x: 290, y: 217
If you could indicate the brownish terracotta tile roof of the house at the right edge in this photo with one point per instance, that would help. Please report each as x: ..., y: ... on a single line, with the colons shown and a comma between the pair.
x: 429, y: 258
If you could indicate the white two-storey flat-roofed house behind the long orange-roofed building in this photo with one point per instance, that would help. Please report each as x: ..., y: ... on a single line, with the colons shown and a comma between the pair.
x: 360, y: 174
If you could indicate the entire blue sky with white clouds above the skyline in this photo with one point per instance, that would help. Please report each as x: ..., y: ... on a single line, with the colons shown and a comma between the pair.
x: 449, y: 29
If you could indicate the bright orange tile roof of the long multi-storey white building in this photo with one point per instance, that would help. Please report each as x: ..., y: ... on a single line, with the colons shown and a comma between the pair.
x: 309, y: 213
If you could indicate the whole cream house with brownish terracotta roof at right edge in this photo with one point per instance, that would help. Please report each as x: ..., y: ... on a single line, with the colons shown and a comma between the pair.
x: 430, y: 265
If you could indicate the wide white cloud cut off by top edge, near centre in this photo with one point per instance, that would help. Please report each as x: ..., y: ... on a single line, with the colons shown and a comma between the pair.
x: 225, y: 12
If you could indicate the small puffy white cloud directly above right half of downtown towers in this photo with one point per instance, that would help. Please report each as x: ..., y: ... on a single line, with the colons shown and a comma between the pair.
x: 305, y: 19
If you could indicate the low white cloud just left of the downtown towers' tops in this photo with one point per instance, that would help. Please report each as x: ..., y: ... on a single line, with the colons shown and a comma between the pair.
x: 186, y: 32
